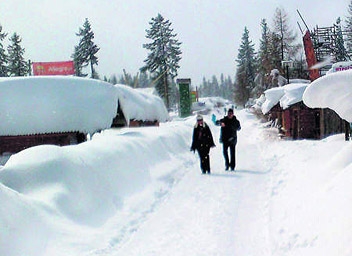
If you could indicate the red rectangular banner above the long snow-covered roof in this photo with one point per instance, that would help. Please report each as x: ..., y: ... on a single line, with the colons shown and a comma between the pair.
x: 53, y: 68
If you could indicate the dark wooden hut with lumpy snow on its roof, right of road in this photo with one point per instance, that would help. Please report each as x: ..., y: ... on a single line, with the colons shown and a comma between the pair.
x: 295, y: 119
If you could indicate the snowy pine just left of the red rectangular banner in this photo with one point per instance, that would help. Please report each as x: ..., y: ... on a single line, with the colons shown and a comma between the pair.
x: 17, y: 66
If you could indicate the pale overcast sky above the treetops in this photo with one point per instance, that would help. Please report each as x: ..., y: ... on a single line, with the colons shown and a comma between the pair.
x: 210, y: 31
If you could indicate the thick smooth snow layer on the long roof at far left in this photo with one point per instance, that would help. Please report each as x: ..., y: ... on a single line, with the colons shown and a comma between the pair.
x: 32, y: 105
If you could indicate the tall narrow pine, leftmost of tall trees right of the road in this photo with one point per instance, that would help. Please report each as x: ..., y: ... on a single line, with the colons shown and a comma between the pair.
x: 246, y: 70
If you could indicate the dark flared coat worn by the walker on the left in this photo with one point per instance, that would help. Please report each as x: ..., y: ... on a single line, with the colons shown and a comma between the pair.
x: 202, y: 139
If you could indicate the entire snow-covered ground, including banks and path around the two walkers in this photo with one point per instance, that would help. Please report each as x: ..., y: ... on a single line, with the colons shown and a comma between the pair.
x: 140, y: 192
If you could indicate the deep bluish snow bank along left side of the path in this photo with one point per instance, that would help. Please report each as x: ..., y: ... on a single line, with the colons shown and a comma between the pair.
x: 84, y: 184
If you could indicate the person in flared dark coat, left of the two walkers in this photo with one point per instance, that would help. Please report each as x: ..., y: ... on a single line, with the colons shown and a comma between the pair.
x: 202, y: 141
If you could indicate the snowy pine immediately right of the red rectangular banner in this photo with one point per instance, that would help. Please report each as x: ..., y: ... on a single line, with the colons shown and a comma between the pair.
x: 85, y: 53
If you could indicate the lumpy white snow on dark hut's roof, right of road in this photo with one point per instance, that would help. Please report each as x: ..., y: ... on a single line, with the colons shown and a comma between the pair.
x: 286, y: 95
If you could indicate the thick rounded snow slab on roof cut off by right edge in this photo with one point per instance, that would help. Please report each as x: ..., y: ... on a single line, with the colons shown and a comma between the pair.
x: 332, y: 91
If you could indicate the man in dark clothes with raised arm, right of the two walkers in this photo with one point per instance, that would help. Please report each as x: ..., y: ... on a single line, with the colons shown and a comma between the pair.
x: 228, y: 137
